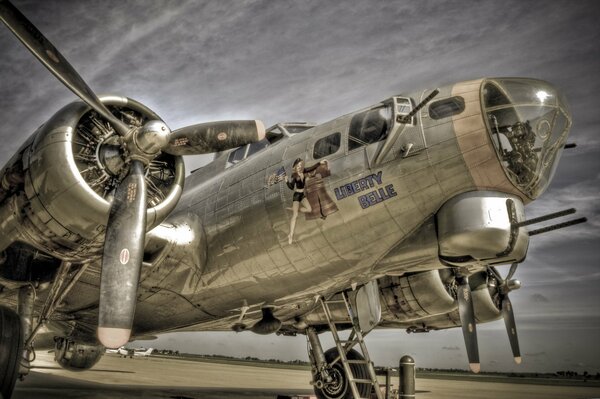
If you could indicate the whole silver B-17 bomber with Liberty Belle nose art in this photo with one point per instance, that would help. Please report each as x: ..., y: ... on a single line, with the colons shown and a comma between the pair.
x: 394, y: 216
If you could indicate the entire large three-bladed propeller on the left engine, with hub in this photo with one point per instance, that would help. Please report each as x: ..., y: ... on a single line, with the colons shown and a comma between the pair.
x: 125, y: 231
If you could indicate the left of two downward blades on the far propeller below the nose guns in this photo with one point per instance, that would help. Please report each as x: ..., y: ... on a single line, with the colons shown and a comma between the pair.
x: 467, y: 319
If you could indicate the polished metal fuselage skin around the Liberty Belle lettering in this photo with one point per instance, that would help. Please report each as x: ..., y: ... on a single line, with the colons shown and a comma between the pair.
x: 246, y: 222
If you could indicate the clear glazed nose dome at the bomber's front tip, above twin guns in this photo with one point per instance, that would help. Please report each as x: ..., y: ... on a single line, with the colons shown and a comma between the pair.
x: 528, y: 121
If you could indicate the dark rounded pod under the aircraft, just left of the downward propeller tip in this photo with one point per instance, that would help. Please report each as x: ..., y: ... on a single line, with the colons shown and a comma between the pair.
x: 75, y: 356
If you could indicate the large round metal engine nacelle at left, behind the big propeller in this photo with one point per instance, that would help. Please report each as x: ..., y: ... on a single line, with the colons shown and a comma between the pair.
x: 69, y: 170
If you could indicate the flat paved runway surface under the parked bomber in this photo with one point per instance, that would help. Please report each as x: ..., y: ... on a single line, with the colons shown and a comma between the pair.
x: 114, y: 377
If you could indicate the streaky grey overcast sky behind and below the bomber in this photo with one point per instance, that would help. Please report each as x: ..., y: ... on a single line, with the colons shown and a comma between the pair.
x: 316, y: 60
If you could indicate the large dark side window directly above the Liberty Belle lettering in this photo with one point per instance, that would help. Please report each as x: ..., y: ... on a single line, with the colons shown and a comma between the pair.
x: 369, y: 127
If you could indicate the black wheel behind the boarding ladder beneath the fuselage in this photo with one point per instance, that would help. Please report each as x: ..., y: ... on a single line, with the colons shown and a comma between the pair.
x: 340, y: 388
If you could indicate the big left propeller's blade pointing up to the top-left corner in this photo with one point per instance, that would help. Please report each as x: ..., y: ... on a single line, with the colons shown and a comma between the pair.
x: 52, y: 59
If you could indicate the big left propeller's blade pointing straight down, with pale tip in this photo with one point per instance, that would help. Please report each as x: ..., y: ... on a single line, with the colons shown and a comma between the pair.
x: 122, y: 259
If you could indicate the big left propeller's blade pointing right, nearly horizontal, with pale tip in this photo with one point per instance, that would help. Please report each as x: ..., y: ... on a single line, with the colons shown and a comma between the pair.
x: 205, y: 138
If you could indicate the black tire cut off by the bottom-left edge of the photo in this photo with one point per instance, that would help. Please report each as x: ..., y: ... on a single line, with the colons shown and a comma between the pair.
x: 11, y: 349
